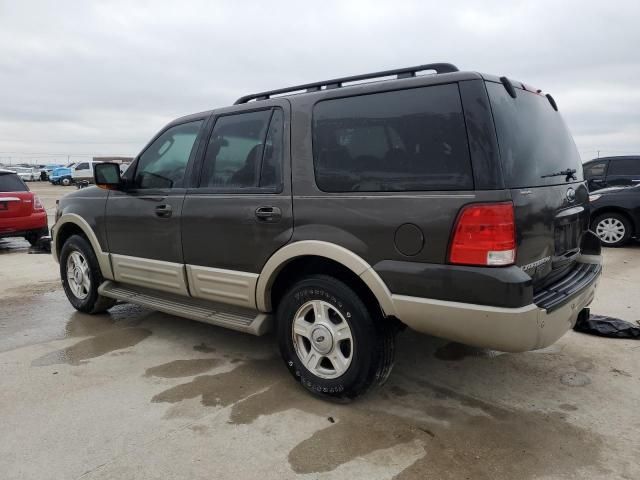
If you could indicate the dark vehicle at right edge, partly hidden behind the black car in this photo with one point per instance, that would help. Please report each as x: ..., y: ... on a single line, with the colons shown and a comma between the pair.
x: 612, y: 172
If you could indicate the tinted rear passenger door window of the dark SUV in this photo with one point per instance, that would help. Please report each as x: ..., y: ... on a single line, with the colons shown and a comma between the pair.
x: 243, y: 148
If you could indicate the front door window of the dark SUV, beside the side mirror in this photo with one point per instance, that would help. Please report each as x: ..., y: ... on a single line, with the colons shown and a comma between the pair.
x: 163, y: 164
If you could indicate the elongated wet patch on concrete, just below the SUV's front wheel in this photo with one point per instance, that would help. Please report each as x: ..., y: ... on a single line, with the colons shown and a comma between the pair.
x: 101, y: 344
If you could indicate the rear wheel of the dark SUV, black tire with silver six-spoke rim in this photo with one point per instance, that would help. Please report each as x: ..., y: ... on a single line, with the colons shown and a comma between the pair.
x: 331, y: 343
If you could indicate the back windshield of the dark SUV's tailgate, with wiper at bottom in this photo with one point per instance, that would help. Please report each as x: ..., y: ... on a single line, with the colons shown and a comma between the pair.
x: 533, y: 139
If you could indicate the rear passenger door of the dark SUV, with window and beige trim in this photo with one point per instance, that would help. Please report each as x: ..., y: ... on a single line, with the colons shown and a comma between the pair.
x: 241, y: 212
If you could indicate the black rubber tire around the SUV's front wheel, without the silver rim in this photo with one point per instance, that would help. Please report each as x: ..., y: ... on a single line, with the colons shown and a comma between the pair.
x: 93, y: 302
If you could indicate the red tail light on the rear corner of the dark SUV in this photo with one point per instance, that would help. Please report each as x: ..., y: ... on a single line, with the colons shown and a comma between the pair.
x: 485, y: 234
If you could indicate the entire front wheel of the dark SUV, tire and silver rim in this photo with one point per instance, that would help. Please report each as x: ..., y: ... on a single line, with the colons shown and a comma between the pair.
x: 81, y: 276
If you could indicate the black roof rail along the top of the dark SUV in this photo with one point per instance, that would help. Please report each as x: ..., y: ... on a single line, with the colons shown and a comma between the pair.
x: 406, y: 72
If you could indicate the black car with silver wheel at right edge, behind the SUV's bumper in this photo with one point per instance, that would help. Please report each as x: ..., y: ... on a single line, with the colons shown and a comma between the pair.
x: 615, y: 214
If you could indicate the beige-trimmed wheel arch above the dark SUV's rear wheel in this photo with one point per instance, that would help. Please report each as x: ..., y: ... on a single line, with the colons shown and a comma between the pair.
x: 315, y: 252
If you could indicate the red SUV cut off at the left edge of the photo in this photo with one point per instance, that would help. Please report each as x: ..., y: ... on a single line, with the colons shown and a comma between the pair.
x: 21, y: 212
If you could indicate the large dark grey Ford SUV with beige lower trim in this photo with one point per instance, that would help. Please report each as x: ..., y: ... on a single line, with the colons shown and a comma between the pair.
x: 452, y: 203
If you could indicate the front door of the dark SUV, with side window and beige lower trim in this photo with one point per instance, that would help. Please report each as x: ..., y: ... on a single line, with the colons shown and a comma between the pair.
x: 143, y: 221
